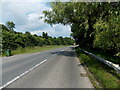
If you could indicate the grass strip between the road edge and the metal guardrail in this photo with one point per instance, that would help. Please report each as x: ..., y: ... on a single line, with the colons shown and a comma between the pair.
x: 105, y: 75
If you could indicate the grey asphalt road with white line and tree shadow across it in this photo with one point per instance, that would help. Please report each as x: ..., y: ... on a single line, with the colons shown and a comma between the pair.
x: 57, y: 68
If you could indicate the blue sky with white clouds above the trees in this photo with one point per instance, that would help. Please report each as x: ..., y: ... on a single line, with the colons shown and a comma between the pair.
x: 25, y: 14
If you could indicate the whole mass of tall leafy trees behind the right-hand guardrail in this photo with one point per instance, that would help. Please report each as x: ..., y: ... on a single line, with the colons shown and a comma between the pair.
x: 94, y: 25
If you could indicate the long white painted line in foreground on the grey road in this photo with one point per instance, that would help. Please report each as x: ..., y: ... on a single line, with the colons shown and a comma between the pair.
x: 16, y: 78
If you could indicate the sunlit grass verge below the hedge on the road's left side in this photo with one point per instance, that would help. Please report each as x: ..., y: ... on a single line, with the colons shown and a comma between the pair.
x: 34, y: 49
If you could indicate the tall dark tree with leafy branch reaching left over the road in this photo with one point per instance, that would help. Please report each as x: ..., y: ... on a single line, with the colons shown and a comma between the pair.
x: 80, y: 16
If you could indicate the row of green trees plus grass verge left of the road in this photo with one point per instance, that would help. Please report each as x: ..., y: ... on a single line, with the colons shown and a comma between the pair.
x: 26, y: 42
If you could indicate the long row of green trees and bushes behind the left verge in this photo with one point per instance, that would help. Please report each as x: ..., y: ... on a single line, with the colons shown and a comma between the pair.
x: 13, y: 40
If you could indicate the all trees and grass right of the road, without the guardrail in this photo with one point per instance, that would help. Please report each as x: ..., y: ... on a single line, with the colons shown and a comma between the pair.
x: 95, y: 28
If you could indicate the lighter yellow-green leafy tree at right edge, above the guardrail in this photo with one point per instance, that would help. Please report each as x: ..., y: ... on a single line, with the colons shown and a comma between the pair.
x: 107, y: 34
